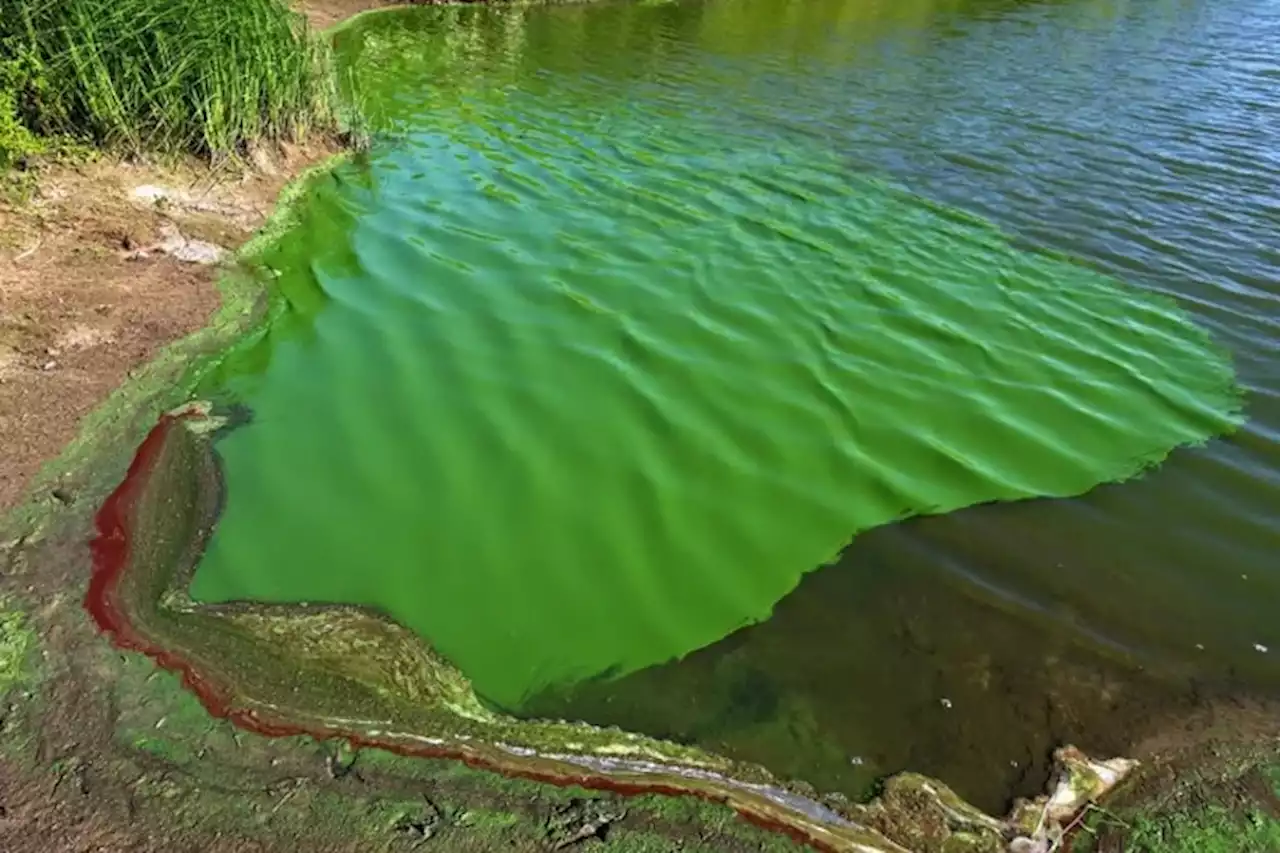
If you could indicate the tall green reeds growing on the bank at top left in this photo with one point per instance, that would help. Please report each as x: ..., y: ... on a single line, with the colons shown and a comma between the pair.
x: 202, y: 76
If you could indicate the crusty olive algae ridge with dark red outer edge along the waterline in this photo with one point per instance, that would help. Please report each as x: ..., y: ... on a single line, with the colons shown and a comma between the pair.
x: 126, y: 564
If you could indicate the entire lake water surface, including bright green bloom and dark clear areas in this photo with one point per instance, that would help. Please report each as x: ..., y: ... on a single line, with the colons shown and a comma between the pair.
x: 636, y: 317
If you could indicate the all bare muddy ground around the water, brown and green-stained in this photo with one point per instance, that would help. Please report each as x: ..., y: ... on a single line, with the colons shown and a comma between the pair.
x: 102, y: 752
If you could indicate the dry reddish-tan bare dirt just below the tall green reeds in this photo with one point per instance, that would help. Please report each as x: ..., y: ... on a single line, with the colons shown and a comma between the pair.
x: 84, y: 300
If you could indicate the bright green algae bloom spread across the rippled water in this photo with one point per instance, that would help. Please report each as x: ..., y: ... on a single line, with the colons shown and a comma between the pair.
x: 597, y: 354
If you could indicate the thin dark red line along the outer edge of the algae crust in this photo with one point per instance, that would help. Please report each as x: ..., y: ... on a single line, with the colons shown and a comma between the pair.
x: 111, y: 560
